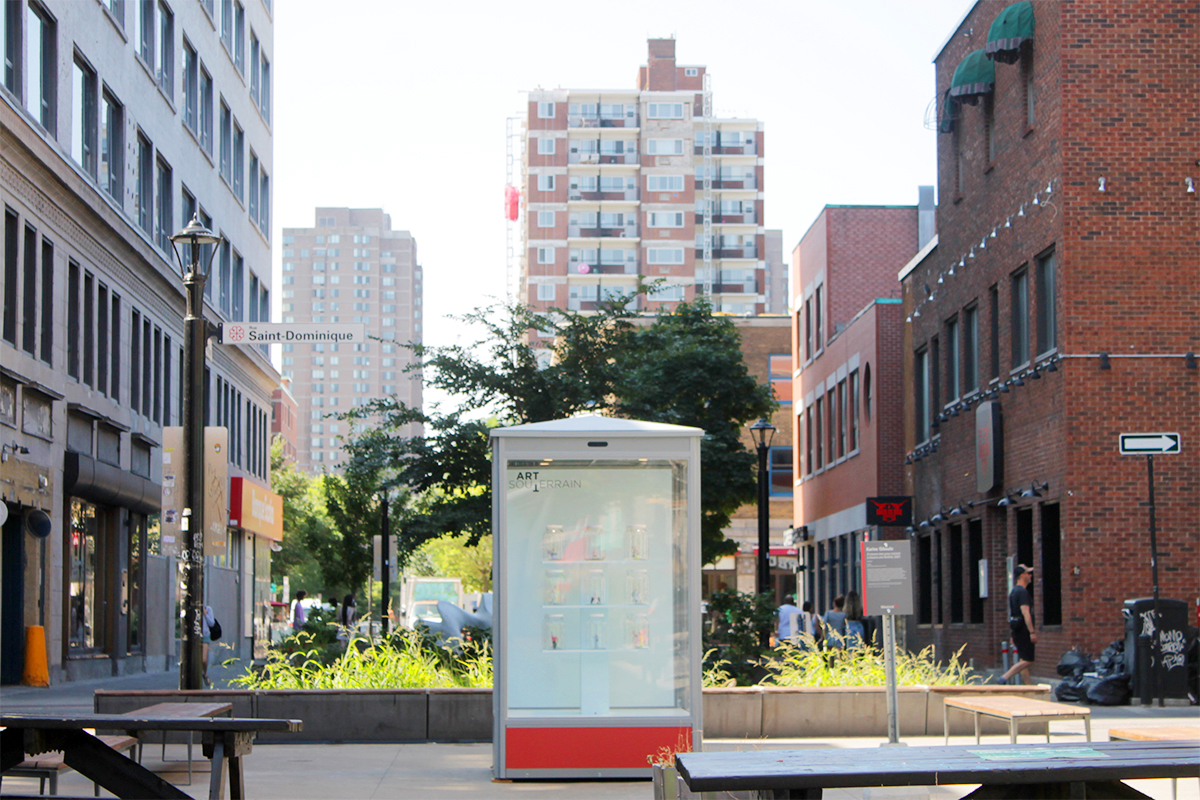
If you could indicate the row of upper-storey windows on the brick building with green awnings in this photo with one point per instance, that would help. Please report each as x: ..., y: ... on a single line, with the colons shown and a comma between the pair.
x: 949, y: 366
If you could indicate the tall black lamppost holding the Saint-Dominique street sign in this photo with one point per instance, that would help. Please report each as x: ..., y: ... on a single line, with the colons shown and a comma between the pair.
x: 196, y: 334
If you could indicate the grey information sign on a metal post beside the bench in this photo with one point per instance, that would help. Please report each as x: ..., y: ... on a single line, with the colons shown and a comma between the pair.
x: 887, y: 591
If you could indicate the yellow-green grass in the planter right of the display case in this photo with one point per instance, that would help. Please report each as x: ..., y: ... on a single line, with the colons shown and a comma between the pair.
x: 805, y: 665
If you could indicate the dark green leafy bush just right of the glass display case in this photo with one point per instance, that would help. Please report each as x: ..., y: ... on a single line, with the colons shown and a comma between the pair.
x: 733, y: 641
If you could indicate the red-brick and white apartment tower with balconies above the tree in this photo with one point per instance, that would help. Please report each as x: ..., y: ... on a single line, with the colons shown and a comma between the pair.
x: 643, y: 183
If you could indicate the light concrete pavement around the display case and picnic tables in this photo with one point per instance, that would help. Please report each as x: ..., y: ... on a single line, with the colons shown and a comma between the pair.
x: 440, y: 771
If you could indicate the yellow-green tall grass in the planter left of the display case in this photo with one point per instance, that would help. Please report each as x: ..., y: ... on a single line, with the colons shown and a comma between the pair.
x: 401, y: 663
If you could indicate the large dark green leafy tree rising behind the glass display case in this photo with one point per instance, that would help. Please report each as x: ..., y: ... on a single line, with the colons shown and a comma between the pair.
x: 683, y: 368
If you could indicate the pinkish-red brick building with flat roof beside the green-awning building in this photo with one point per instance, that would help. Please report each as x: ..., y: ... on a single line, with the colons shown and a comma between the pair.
x: 848, y: 347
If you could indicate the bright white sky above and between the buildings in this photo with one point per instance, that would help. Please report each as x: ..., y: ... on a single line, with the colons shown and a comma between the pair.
x: 403, y: 105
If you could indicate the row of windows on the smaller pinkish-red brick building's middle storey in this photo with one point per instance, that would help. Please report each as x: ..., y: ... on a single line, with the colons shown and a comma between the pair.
x: 830, y: 425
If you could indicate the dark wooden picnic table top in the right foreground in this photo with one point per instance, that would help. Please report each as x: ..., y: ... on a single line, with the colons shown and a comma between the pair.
x: 1054, y: 771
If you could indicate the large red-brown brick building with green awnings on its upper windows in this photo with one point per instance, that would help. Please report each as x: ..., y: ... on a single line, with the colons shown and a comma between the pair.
x: 1059, y: 310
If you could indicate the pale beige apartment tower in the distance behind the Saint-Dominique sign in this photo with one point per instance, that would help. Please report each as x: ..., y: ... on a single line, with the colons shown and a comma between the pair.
x: 351, y: 268
